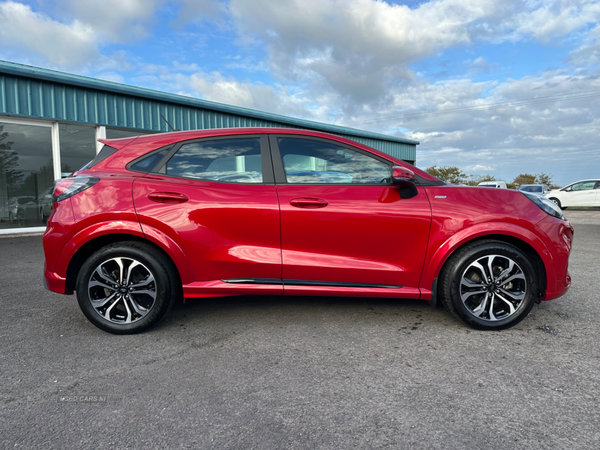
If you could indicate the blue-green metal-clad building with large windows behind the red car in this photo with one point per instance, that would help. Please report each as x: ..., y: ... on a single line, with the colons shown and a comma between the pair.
x: 50, y: 123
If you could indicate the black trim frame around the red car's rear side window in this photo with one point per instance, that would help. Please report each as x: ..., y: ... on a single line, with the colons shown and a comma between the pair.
x: 265, y: 155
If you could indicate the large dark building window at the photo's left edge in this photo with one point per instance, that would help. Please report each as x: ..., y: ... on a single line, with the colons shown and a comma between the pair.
x: 26, y: 174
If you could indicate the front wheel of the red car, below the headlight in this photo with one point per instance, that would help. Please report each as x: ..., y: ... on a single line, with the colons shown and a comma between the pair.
x: 484, y: 301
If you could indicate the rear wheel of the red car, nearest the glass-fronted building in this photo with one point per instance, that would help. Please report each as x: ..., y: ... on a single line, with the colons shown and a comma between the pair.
x: 128, y: 300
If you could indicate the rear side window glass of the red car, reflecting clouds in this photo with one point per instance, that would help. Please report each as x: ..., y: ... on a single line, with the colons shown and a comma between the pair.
x: 224, y: 160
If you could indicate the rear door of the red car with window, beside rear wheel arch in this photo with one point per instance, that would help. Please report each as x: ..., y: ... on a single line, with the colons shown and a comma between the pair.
x: 216, y: 199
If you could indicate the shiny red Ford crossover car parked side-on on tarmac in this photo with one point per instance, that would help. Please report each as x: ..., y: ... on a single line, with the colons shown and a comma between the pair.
x: 292, y: 212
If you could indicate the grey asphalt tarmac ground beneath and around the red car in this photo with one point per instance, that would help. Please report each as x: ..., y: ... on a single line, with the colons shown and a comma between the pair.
x: 299, y: 373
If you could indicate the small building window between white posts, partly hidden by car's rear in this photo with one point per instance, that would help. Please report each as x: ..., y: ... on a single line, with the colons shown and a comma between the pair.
x: 77, y: 146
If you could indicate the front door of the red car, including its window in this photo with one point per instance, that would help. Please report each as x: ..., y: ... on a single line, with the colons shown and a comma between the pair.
x: 343, y: 225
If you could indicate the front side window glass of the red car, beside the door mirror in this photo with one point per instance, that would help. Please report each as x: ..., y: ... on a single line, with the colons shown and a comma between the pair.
x: 308, y: 161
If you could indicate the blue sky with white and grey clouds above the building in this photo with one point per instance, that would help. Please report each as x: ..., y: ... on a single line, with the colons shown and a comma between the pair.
x: 496, y: 87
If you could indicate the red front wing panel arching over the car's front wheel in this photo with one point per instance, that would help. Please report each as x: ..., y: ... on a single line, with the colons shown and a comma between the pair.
x: 461, y: 214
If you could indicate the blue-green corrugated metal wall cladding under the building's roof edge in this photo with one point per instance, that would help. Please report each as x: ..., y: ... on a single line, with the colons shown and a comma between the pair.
x: 43, y: 99
